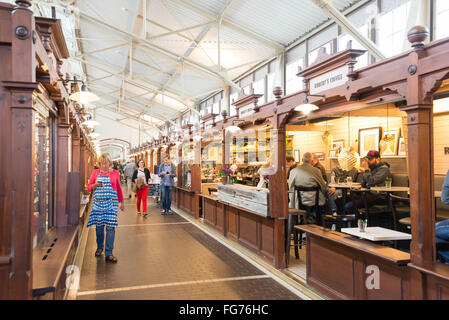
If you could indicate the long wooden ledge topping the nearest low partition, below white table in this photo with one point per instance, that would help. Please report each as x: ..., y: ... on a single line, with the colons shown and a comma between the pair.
x: 390, y: 254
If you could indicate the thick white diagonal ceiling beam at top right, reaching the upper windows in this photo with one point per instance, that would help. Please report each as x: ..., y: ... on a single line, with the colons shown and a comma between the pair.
x: 328, y: 7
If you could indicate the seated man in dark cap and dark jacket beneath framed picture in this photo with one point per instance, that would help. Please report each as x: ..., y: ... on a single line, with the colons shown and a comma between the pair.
x: 375, y: 173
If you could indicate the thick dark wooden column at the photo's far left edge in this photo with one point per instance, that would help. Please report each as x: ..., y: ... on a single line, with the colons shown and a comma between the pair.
x: 18, y: 78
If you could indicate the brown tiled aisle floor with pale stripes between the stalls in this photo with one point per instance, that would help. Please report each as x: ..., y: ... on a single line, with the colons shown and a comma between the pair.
x: 167, y: 257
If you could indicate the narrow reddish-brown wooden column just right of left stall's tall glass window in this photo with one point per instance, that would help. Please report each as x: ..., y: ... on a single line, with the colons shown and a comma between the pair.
x: 61, y: 173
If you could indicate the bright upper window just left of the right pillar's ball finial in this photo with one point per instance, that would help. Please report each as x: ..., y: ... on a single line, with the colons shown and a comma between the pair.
x: 393, y: 30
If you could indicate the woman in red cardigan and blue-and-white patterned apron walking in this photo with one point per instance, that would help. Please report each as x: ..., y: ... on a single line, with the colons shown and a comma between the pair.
x: 105, y: 183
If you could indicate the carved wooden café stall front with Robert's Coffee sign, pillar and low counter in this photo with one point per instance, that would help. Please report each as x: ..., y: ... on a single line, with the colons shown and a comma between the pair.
x: 338, y: 264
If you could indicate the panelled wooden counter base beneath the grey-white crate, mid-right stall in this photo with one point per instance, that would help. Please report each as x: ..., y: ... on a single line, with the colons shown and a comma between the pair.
x: 253, y: 230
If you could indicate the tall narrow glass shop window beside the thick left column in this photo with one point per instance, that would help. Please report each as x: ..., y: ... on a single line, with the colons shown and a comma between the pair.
x: 42, y: 162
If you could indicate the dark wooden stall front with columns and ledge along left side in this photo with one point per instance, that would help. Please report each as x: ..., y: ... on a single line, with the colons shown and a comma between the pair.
x: 47, y: 156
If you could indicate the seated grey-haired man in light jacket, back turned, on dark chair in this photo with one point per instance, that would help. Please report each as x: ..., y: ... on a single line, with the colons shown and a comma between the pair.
x: 306, y: 175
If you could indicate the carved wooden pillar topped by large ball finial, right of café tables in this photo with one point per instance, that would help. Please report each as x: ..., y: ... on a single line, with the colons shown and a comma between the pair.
x: 420, y: 150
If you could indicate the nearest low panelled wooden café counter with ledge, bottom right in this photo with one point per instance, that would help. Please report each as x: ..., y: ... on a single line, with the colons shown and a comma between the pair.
x: 342, y: 266
